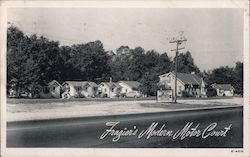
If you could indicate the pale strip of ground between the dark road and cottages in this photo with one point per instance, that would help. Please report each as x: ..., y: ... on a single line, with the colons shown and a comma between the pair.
x: 31, y: 109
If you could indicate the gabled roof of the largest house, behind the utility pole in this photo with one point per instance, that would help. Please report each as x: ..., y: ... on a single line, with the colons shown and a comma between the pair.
x: 186, y: 78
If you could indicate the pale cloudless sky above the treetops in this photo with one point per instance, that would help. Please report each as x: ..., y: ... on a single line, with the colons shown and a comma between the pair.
x: 214, y: 36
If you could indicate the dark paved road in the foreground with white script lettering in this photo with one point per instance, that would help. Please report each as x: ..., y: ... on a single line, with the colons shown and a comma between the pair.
x: 86, y: 132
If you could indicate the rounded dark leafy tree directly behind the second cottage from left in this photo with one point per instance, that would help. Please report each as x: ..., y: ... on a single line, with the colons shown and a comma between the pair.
x: 90, y: 61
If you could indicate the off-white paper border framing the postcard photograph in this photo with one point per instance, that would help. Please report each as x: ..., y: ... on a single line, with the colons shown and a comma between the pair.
x: 244, y: 4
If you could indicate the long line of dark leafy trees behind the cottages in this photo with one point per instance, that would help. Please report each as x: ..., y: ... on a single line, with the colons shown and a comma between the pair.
x: 33, y: 61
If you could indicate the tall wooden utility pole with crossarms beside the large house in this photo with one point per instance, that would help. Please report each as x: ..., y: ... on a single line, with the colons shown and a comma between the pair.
x: 178, y: 42
